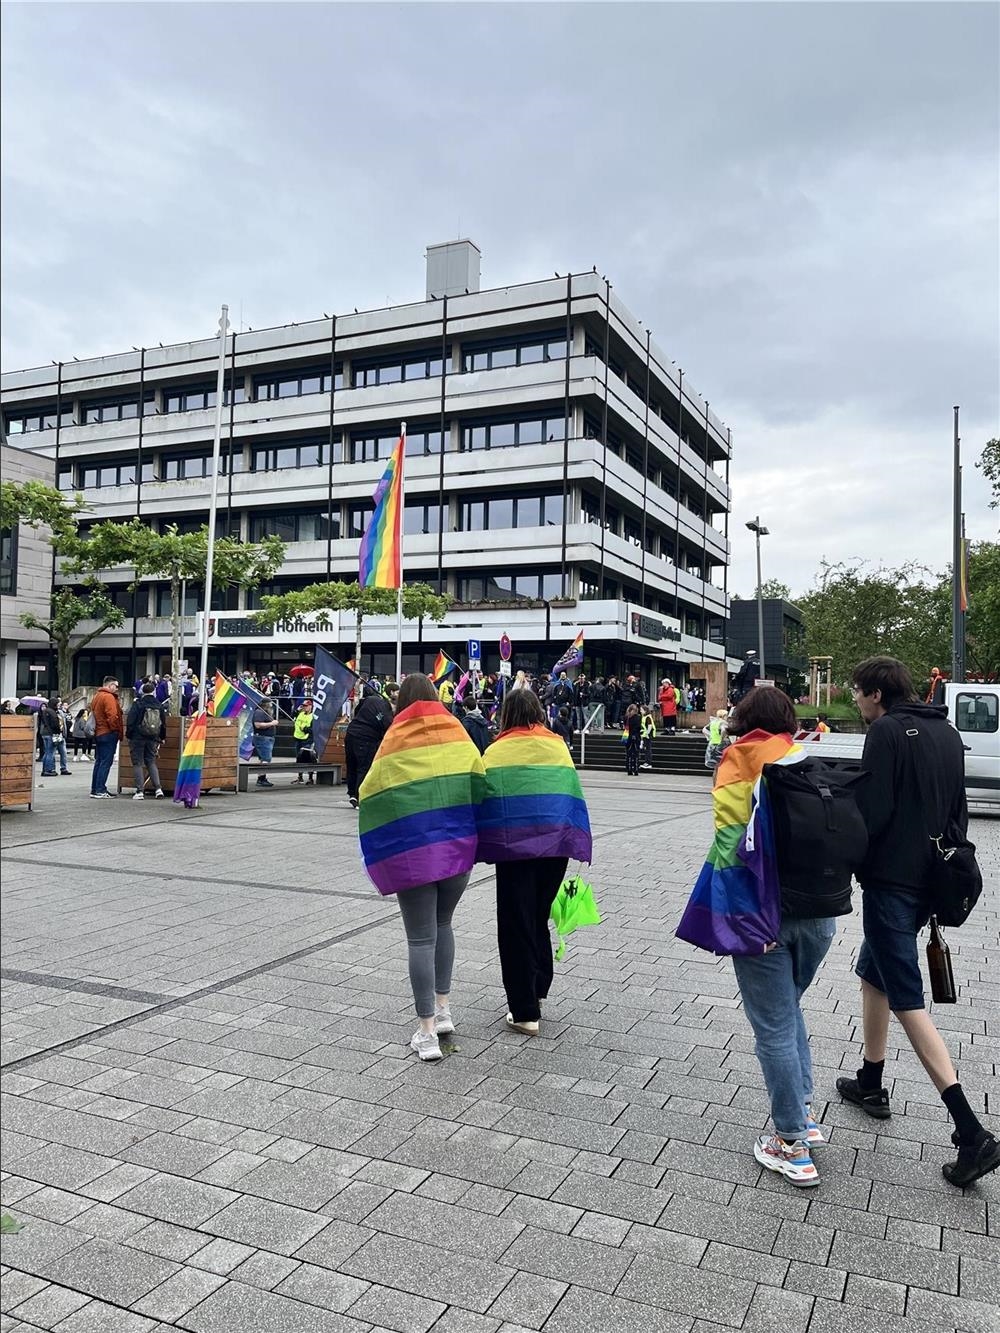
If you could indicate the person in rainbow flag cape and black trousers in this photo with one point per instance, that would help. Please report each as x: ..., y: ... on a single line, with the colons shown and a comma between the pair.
x: 533, y: 820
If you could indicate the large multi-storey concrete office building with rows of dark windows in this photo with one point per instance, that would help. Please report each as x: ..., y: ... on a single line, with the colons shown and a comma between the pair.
x: 557, y: 457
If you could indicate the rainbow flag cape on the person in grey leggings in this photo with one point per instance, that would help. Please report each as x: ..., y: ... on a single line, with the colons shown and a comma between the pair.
x: 418, y: 806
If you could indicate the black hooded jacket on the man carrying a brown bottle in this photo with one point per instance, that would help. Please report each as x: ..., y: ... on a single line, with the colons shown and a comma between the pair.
x: 899, y: 852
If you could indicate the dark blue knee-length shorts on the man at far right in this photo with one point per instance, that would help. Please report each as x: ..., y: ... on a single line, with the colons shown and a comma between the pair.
x: 889, y: 959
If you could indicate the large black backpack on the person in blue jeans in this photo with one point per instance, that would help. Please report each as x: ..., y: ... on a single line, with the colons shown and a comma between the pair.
x: 821, y: 836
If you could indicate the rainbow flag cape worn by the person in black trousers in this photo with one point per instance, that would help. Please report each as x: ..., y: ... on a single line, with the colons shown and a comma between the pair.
x: 535, y: 804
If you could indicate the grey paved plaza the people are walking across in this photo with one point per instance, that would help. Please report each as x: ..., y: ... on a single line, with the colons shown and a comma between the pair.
x: 213, y: 1123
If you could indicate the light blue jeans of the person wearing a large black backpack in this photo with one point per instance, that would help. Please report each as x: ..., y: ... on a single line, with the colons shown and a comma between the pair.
x: 771, y: 987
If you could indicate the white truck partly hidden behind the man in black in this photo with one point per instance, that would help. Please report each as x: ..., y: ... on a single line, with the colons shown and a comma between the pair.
x: 974, y: 711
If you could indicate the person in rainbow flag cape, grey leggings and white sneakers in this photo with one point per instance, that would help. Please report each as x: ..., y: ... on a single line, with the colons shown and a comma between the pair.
x: 418, y: 828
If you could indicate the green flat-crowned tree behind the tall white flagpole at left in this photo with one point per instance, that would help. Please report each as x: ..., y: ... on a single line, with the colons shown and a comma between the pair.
x: 177, y: 557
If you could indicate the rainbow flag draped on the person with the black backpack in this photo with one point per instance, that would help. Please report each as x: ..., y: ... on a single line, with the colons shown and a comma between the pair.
x: 734, y: 908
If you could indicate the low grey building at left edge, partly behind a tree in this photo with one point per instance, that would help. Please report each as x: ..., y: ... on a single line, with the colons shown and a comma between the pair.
x: 27, y: 578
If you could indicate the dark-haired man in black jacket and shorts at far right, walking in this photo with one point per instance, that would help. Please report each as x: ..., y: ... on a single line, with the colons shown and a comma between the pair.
x: 906, y: 738
